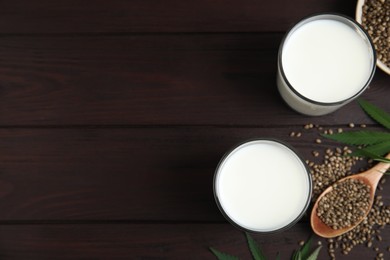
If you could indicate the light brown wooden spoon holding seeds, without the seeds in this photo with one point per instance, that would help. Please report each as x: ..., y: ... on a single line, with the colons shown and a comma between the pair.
x: 370, y: 177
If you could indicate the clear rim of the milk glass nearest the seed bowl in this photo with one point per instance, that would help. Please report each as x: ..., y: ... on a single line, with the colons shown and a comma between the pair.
x: 341, y: 18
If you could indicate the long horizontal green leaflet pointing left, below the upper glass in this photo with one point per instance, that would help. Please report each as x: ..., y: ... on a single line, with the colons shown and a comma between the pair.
x: 360, y: 137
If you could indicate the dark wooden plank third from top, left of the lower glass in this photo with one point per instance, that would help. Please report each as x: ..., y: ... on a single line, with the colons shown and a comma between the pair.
x: 146, y: 174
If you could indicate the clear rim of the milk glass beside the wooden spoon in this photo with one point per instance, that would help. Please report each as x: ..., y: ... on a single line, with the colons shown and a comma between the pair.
x: 305, y: 167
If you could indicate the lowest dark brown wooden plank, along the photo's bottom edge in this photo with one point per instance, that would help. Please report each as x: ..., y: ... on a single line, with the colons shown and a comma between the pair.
x: 154, y: 241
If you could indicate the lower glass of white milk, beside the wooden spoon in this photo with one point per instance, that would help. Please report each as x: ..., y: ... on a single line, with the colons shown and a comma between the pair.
x: 262, y: 186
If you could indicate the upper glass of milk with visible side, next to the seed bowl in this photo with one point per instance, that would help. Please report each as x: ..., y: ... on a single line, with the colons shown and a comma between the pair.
x: 324, y: 62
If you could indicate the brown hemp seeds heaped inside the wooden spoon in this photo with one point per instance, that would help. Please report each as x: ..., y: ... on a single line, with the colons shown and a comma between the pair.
x: 345, y: 205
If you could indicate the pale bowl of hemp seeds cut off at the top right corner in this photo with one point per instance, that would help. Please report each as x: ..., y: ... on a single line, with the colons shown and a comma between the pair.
x: 374, y: 16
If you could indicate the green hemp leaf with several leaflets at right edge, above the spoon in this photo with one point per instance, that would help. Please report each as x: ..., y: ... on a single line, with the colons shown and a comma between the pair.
x: 372, y: 144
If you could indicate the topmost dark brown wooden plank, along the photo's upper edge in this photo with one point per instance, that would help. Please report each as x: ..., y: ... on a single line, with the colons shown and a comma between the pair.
x: 121, y: 16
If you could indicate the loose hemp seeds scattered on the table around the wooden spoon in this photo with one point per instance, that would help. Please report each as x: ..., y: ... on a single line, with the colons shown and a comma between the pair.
x: 331, y: 165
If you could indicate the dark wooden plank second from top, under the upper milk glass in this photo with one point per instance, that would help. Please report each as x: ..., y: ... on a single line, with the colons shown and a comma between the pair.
x: 221, y: 79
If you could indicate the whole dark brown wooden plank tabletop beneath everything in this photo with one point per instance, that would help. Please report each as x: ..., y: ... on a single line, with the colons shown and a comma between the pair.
x: 114, y: 115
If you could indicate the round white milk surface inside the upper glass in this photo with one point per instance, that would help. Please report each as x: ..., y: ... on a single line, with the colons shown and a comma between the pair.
x: 327, y: 61
